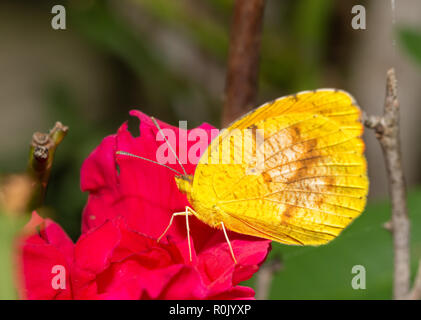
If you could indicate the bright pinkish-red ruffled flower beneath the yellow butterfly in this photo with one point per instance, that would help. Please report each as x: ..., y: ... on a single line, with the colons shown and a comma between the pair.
x: 130, y: 204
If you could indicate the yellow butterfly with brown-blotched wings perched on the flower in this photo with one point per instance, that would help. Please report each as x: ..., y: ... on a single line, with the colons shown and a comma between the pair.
x: 312, y: 182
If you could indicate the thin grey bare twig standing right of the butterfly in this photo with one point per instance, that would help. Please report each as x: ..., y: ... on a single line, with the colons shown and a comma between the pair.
x: 387, y: 132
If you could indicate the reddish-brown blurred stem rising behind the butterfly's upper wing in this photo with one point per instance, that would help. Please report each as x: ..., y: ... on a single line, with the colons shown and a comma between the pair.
x: 243, y: 60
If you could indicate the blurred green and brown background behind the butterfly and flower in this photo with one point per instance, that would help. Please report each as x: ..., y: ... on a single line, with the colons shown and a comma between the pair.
x: 168, y: 59
